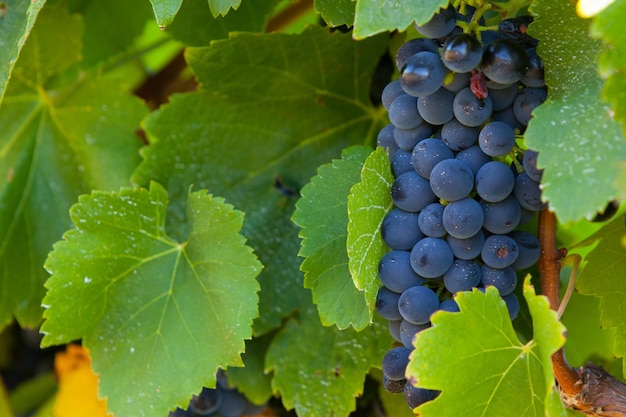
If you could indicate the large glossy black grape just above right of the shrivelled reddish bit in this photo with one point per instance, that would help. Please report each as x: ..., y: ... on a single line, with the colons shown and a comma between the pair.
x: 504, y: 61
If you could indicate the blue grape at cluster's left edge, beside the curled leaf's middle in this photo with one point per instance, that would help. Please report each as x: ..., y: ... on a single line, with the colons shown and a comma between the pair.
x: 400, y: 229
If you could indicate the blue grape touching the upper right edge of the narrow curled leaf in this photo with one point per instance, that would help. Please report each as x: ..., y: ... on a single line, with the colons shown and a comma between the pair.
x: 411, y: 192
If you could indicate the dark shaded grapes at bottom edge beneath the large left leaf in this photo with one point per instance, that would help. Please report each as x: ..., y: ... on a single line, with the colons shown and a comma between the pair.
x: 223, y: 401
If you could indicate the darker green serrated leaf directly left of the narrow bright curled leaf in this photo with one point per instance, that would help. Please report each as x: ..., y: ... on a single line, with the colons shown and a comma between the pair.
x: 322, y: 213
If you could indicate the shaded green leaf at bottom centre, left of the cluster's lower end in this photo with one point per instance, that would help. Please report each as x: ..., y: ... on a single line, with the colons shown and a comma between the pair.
x: 321, y: 385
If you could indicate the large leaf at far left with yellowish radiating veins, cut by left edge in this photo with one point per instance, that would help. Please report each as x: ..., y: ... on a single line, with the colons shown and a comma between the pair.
x: 57, y: 141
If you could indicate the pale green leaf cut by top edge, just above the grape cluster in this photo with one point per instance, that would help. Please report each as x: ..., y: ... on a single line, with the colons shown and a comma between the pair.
x: 375, y: 16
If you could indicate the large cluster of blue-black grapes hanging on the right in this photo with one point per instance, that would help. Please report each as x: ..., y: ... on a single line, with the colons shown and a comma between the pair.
x: 462, y: 183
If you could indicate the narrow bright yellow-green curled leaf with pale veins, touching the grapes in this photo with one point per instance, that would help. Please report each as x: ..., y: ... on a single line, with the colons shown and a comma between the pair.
x: 368, y: 203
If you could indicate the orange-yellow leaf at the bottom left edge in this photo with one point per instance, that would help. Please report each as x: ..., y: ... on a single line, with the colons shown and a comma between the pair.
x: 78, y: 385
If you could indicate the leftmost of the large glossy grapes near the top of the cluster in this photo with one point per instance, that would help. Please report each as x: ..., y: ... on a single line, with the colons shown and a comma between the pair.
x: 422, y: 74
